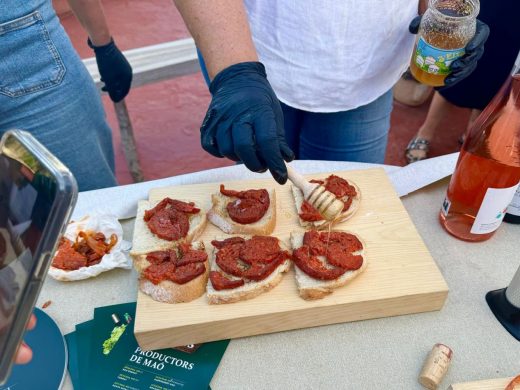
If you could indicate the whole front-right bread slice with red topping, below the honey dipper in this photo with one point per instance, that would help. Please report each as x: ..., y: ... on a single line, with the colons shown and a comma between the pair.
x: 325, y: 261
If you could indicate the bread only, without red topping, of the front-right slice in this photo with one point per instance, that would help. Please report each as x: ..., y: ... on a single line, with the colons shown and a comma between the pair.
x: 310, y: 288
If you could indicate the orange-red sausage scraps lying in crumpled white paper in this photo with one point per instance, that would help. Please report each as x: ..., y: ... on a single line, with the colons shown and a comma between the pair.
x: 88, y: 250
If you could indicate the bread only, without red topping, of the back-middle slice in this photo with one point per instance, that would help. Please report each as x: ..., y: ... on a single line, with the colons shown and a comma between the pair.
x: 219, y: 217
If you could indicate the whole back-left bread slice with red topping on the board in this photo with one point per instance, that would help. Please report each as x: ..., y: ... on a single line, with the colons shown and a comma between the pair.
x: 164, y: 226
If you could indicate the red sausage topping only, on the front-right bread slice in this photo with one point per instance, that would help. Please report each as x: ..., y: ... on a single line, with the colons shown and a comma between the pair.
x: 336, y: 247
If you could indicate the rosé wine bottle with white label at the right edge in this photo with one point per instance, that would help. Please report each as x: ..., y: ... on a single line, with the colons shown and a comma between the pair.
x: 487, y: 174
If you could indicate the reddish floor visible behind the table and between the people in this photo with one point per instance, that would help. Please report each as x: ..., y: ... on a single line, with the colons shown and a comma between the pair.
x: 166, y: 116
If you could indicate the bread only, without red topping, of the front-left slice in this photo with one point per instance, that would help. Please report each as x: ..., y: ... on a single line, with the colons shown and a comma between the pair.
x: 171, y: 292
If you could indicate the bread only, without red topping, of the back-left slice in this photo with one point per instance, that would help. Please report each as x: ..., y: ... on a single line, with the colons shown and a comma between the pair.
x: 144, y: 241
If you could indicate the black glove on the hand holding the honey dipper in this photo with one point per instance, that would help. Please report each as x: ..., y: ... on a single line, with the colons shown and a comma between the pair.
x: 244, y: 121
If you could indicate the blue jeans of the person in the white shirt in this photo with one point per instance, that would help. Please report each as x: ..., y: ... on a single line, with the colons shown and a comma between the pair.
x: 358, y: 135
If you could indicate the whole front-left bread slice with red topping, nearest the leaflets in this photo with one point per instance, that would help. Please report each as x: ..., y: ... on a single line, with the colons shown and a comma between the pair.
x: 175, y: 275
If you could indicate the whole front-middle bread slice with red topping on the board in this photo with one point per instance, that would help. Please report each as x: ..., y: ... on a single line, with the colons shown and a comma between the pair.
x: 243, y: 267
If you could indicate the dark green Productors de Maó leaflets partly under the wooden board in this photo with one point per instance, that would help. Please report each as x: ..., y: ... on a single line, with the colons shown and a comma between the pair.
x: 104, y: 354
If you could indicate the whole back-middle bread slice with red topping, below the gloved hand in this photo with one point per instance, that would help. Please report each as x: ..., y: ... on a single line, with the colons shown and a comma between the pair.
x: 244, y: 212
